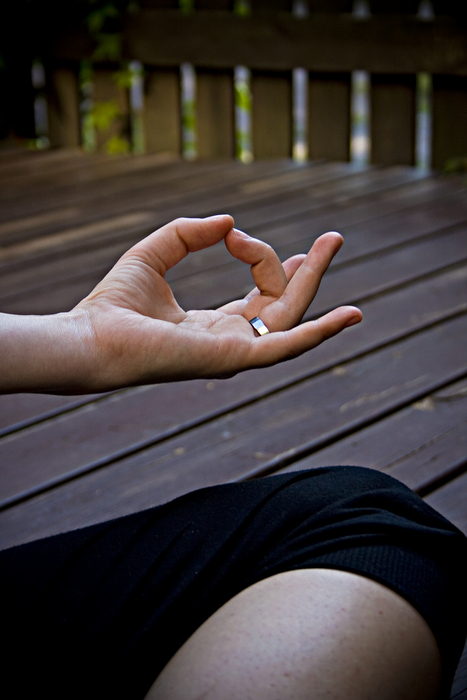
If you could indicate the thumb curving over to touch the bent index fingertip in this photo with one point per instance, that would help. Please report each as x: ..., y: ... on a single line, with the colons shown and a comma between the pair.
x: 168, y: 245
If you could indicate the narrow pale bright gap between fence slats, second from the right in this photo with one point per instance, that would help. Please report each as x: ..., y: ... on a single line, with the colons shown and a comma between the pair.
x: 360, y: 119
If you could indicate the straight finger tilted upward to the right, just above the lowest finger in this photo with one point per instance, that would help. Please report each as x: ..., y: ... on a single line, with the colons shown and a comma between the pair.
x: 287, y: 311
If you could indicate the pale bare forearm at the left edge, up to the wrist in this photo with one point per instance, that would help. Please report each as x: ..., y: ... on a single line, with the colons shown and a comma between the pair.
x: 49, y: 354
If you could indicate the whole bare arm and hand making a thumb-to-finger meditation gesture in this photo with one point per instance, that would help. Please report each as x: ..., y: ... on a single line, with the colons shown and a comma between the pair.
x: 130, y: 329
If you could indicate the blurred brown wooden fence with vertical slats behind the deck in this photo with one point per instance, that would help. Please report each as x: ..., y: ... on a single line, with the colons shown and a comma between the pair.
x: 386, y: 89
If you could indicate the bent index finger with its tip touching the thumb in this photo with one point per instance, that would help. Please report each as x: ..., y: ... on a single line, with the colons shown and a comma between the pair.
x: 266, y: 268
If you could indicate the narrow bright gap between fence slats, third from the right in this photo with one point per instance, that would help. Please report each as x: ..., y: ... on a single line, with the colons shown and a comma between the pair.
x: 300, y: 98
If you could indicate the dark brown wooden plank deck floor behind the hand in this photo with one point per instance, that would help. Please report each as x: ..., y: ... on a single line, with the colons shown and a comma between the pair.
x: 390, y: 393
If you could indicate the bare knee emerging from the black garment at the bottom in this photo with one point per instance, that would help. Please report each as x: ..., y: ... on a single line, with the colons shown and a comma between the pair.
x: 307, y: 635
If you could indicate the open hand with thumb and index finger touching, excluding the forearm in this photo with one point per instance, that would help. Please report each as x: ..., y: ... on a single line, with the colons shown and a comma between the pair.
x: 139, y: 334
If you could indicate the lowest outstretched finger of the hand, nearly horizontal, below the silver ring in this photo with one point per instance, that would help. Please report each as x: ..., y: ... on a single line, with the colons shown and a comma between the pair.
x: 277, y: 347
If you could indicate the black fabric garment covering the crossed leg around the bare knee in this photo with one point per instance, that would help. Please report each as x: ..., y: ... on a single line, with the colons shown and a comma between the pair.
x: 98, y: 612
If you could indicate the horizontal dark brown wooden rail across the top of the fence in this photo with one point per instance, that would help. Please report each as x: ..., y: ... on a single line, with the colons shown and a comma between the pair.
x: 322, y: 42
